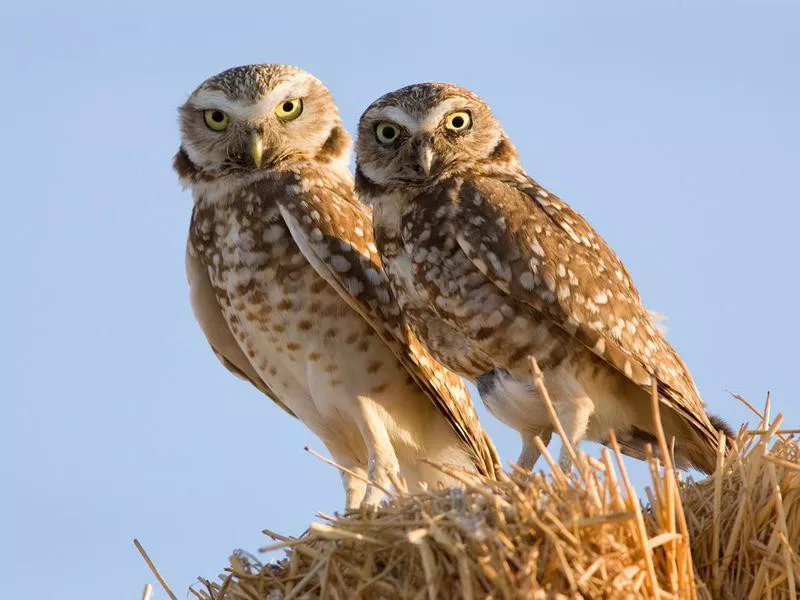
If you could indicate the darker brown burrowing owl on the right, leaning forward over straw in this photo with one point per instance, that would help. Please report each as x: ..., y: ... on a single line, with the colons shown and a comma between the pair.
x: 489, y: 268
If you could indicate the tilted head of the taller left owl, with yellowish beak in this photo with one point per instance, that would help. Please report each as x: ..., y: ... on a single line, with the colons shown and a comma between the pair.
x: 258, y: 117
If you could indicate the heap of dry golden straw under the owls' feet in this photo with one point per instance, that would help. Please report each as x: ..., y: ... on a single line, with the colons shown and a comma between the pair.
x: 578, y: 534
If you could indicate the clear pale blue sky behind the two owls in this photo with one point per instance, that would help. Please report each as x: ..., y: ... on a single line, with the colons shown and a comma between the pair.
x: 675, y: 130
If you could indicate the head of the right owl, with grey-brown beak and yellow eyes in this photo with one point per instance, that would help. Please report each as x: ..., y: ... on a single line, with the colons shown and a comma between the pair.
x: 422, y: 133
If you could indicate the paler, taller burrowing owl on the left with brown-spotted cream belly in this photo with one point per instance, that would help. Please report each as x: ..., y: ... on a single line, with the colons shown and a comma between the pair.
x: 287, y: 285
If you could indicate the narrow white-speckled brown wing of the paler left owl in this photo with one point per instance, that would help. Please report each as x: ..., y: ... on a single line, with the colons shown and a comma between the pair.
x: 334, y: 232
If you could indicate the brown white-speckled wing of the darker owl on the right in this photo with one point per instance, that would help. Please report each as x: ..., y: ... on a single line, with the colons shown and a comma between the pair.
x: 544, y: 254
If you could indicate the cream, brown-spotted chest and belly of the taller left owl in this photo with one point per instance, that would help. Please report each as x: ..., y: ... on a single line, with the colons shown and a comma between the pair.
x: 316, y: 353
